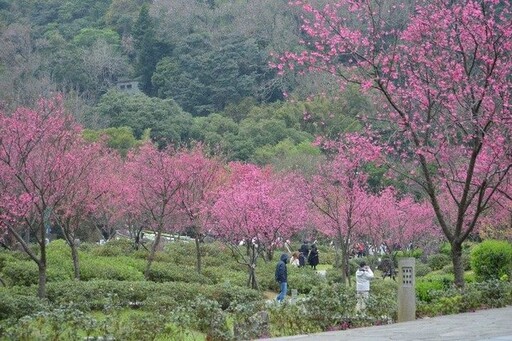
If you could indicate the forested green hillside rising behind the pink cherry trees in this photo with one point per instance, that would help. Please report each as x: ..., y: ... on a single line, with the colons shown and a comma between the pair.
x: 202, y: 68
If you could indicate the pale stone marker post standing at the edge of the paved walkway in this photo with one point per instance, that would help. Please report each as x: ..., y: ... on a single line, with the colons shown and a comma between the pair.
x: 406, y: 289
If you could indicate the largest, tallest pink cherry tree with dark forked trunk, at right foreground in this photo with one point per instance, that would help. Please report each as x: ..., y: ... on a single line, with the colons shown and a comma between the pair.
x: 441, y: 80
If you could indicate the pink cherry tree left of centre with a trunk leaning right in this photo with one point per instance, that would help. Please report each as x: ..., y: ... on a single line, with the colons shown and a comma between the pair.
x: 156, y: 177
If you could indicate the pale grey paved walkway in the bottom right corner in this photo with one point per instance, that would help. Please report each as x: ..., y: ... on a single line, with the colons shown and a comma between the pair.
x: 491, y: 324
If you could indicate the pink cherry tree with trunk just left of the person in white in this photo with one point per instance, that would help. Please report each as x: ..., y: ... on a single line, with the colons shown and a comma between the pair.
x: 339, y: 192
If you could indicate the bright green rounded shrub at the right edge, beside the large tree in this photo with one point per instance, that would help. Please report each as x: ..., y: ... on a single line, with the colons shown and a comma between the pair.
x: 492, y: 259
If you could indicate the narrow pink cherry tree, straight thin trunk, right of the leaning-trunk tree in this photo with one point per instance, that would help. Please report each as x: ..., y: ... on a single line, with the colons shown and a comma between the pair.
x: 202, y: 176
